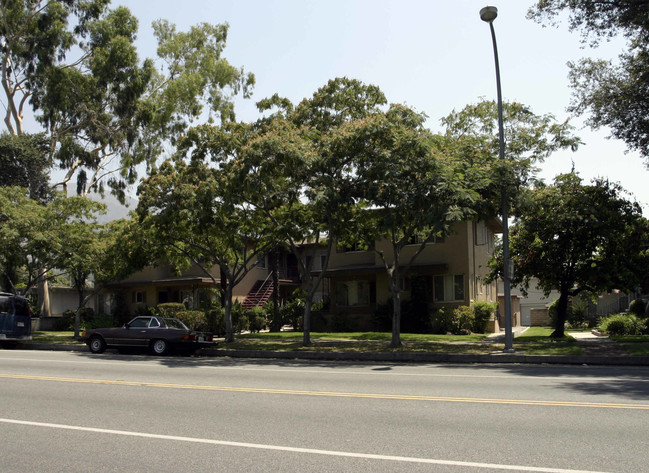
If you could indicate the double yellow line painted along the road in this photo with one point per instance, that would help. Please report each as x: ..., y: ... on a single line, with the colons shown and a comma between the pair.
x: 401, y: 397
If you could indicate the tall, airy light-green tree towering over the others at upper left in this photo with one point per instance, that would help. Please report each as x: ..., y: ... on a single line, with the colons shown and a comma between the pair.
x: 103, y: 111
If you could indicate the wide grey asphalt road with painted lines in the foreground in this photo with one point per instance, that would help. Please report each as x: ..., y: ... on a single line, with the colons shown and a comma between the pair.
x: 74, y: 412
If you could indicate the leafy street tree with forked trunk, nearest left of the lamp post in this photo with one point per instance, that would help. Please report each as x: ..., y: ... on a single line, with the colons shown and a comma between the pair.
x: 410, y: 192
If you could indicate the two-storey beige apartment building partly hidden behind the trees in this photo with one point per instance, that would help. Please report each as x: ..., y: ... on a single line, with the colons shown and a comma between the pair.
x: 355, y: 283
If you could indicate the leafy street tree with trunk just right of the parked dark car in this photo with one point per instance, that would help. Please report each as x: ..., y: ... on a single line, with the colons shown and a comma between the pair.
x: 191, y: 215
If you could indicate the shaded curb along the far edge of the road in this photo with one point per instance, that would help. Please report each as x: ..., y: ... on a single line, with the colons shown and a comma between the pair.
x: 493, y: 358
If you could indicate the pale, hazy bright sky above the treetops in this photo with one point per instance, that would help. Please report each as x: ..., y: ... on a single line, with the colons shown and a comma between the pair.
x: 435, y: 56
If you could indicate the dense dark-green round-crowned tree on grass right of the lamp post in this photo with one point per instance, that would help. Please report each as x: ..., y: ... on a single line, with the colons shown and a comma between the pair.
x: 574, y: 238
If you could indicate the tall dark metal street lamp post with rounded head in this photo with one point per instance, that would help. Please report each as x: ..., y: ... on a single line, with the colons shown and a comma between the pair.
x: 489, y: 14
